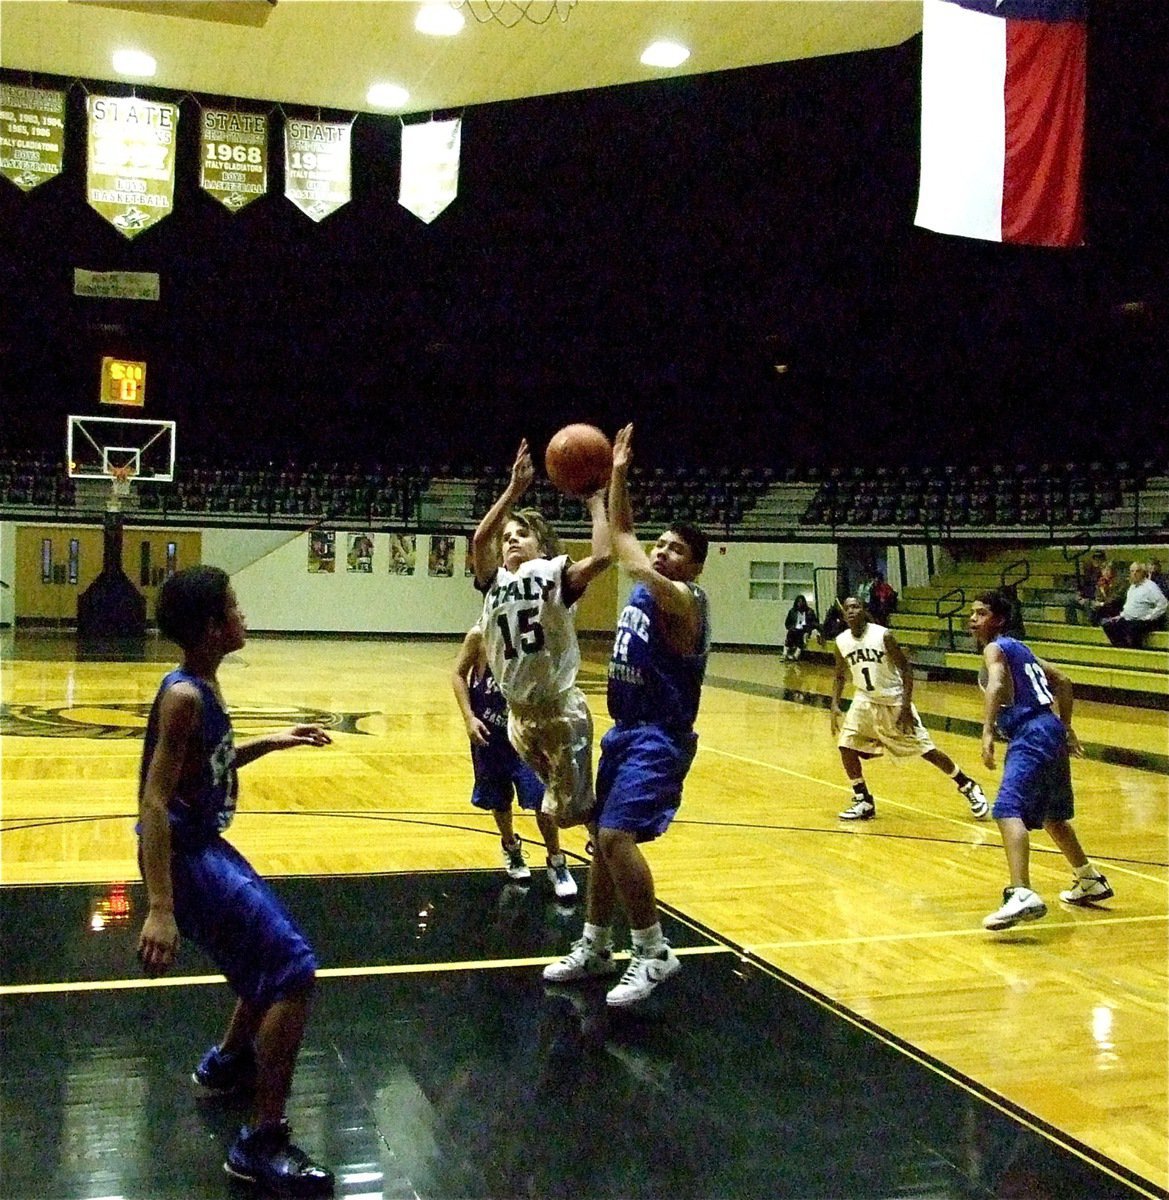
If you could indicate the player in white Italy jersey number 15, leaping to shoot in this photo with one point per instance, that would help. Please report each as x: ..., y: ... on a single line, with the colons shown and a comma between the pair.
x: 530, y: 590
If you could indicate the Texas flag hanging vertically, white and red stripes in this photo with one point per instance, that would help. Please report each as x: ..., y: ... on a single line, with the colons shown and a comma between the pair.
x: 1003, y: 121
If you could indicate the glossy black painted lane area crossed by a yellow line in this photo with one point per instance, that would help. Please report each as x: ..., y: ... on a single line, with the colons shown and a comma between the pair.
x: 437, y: 1065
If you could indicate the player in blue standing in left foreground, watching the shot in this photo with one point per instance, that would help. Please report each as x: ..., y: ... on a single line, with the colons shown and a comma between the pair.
x: 200, y: 886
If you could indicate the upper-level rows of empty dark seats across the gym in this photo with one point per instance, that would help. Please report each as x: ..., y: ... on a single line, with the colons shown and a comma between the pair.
x: 759, y: 503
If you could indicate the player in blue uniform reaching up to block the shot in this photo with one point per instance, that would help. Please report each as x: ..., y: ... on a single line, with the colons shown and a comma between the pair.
x: 655, y: 685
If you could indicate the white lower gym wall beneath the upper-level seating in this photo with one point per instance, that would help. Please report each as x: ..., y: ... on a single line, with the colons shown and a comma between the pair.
x: 751, y: 585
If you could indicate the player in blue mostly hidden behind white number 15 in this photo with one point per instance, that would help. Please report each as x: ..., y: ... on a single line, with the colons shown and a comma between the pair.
x: 500, y: 771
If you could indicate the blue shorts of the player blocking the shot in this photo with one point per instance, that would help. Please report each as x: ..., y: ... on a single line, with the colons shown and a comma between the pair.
x: 640, y: 778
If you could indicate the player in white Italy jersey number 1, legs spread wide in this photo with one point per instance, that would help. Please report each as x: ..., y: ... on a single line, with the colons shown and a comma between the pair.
x: 882, y: 716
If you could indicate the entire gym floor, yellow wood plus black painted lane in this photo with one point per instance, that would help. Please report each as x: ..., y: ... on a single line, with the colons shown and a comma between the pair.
x: 843, y: 1027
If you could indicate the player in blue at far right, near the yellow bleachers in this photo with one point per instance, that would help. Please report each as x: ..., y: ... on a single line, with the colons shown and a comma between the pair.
x: 1030, y: 704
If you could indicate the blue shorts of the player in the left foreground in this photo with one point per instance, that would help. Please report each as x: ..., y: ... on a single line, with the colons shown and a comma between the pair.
x: 233, y: 916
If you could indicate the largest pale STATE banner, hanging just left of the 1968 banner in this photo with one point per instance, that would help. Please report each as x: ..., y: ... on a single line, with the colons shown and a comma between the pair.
x: 131, y: 161
